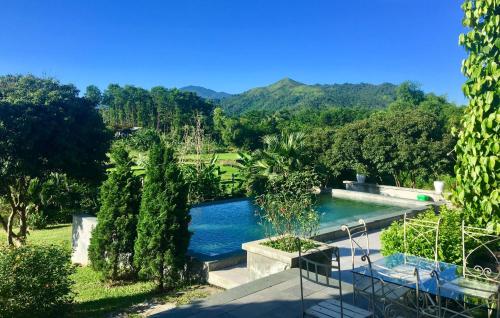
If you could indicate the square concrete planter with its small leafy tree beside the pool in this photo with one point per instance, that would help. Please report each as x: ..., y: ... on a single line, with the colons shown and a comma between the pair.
x: 287, y: 212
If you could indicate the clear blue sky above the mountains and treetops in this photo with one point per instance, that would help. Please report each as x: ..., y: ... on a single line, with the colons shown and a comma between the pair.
x: 235, y: 45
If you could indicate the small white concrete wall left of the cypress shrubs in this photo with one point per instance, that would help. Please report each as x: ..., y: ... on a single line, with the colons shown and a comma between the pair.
x: 83, y: 225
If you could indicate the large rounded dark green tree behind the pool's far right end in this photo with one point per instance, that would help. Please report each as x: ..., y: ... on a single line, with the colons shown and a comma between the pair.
x: 412, y: 152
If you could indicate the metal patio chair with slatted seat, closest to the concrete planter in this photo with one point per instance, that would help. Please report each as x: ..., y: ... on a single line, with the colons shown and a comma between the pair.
x: 320, y: 273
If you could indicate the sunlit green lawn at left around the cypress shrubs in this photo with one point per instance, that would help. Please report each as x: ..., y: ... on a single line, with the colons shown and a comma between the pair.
x: 95, y: 298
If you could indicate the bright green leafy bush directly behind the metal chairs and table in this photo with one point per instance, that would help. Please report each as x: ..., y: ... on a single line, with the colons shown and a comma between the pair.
x: 449, y: 248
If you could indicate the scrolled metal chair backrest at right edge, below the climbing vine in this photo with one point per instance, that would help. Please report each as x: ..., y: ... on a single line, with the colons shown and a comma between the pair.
x: 480, y: 254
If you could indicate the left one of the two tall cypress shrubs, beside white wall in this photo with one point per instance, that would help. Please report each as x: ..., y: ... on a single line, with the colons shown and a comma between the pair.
x: 111, y: 250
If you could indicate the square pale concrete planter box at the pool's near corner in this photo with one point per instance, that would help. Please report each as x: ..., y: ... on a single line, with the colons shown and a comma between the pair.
x: 263, y: 260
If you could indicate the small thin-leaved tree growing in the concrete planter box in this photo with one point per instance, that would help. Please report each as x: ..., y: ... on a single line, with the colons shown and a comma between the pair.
x: 287, y: 208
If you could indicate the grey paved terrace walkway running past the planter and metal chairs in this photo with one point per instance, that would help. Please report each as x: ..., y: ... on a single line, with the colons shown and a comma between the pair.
x: 275, y: 296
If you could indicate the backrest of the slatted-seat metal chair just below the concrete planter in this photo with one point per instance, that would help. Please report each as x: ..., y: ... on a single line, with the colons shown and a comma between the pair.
x: 318, y: 267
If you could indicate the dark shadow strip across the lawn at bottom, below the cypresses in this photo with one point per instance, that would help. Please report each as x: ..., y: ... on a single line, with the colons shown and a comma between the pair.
x: 103, y: 307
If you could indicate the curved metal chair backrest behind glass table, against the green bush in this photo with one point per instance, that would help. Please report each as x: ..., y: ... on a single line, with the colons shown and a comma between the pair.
x: 425, y: 230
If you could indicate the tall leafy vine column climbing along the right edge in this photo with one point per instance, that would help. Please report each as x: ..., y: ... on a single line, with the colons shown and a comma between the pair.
x: 478, y: 146
